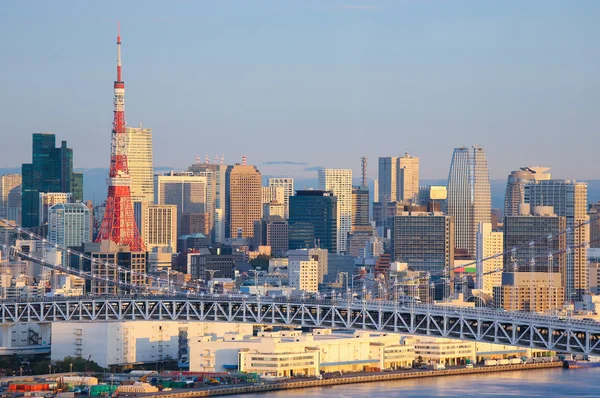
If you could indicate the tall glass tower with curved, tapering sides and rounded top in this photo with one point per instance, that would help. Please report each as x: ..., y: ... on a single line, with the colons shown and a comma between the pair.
x: 469, y: 195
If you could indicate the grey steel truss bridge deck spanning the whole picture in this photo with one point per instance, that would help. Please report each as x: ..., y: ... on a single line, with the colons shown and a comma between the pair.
x: 474, y: 324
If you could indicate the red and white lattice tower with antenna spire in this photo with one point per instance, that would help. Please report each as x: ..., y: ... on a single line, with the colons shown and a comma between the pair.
x: 119, y: 224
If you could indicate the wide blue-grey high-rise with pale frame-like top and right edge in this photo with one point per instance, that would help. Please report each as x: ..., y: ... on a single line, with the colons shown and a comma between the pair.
x: 187, y: 191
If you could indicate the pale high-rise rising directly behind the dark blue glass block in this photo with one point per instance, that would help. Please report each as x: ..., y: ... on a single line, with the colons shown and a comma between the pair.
x: 339, y: 181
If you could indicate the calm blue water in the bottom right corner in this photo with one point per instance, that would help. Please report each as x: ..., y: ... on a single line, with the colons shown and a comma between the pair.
x: 555, y: 382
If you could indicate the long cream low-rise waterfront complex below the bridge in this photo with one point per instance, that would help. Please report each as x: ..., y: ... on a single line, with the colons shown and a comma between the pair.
x: 292, y: 353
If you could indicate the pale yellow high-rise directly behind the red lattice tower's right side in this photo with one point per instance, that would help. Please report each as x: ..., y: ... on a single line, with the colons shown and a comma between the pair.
x: 139, y: 159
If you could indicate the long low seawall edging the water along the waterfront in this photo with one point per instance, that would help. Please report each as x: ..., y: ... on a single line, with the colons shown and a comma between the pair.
x: 354, y: 379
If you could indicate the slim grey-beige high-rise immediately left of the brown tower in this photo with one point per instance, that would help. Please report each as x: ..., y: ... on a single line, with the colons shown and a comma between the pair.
x: 217, y: 183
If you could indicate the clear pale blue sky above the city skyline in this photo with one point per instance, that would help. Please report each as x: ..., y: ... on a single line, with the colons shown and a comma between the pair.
x: 311, y: 83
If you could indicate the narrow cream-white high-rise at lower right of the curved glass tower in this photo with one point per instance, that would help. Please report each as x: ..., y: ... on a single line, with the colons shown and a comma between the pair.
x: 489, y: 244
